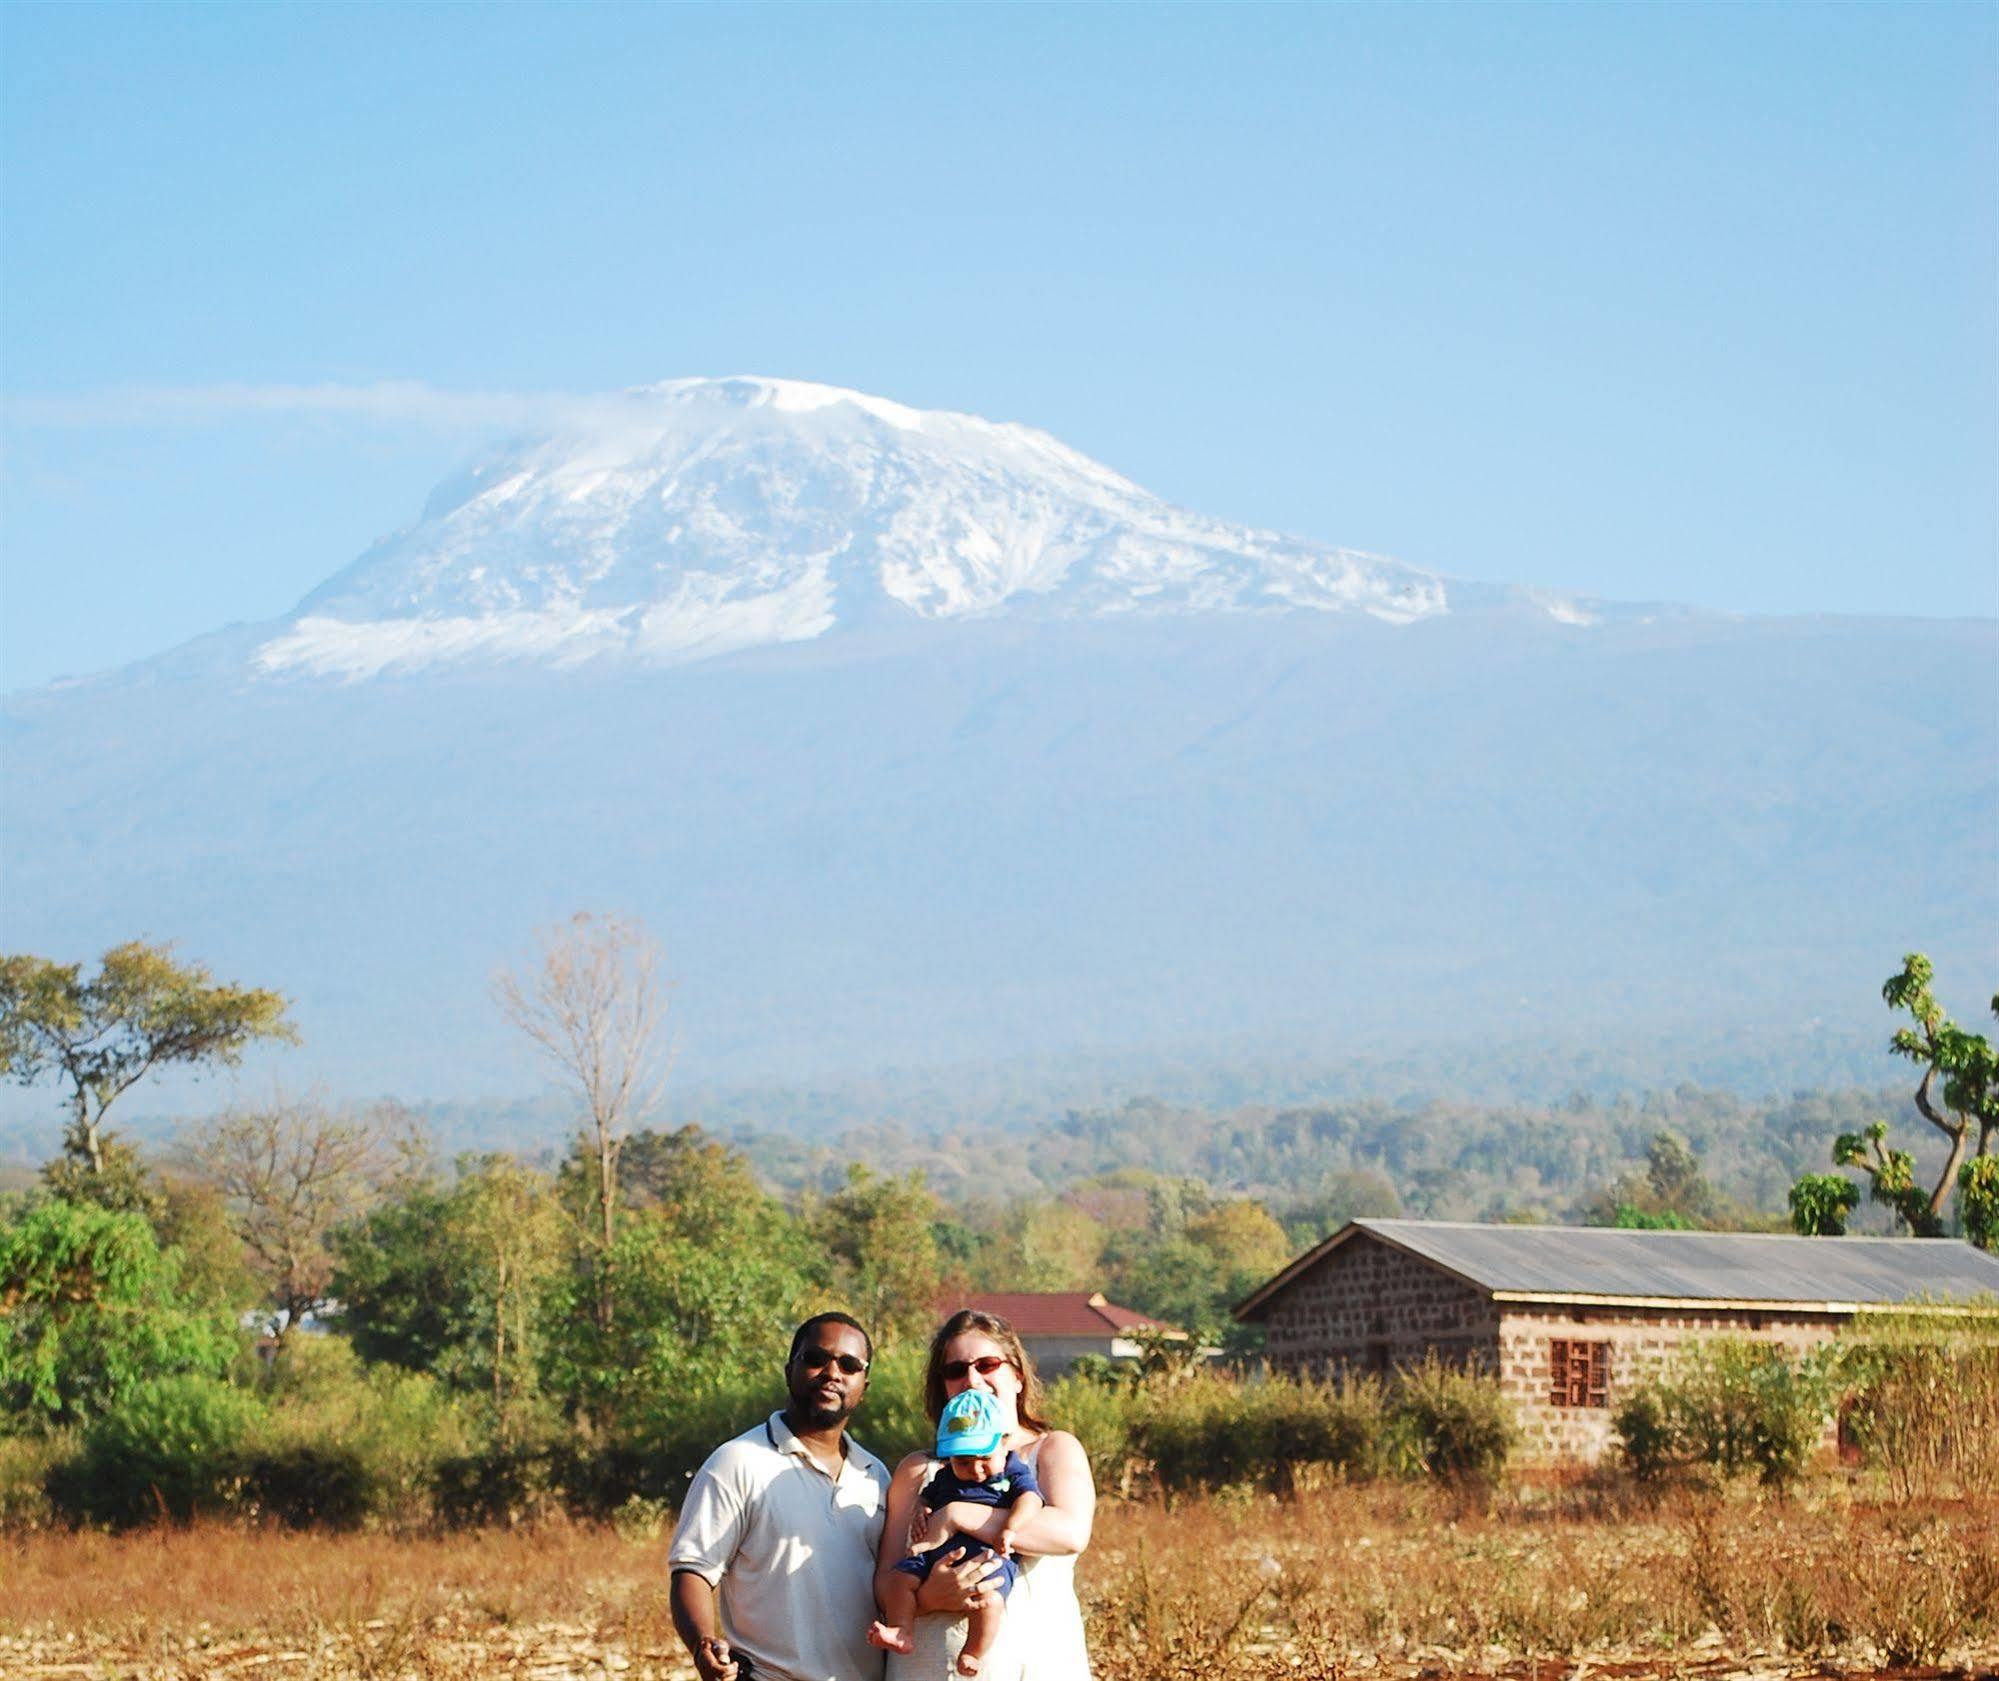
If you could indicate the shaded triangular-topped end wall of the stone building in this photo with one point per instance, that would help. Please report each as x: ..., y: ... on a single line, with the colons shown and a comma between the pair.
x: 1368, y: 1306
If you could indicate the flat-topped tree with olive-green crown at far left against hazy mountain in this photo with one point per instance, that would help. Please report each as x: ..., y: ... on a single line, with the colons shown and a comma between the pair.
x: 101, y: 1036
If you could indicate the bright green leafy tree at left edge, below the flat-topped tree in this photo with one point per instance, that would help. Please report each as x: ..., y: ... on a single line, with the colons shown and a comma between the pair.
x: 93, y: 1308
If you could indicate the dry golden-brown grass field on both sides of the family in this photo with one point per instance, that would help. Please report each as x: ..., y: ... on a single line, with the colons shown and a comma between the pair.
x: 1392, y: 1582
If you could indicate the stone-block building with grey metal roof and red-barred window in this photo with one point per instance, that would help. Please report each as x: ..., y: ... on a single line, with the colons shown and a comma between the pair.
x: 1570, y: 1316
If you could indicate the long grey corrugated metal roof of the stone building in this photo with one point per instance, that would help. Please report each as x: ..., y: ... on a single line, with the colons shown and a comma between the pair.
x: 1698, y: 1266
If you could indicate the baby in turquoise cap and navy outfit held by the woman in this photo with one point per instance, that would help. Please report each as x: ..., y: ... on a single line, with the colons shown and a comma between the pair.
x: 977, y: 1472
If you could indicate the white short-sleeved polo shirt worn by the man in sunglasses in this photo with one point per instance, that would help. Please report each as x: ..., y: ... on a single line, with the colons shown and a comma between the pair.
x: 791, y: 1552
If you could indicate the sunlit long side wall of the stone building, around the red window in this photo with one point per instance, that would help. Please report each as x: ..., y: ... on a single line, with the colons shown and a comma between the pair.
x: 1640, y: 1342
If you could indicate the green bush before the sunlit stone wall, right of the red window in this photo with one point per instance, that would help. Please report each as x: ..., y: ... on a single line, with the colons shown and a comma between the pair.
x: 1730, y: 1408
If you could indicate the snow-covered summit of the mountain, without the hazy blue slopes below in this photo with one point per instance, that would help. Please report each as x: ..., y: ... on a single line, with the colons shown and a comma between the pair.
x: 701, y: 517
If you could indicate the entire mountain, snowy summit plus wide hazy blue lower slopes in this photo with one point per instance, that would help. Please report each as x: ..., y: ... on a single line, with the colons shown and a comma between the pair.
x: 929, y: 741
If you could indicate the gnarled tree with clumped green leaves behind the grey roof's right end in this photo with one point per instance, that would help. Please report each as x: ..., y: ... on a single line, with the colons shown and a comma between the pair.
x: 1958, y: 1094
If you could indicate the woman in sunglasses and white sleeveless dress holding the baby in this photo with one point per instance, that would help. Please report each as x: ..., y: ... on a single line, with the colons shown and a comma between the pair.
x: 1042, y: 1630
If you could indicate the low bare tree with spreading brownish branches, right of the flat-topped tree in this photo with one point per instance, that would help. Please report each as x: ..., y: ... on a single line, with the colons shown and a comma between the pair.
x: 291, y: 1172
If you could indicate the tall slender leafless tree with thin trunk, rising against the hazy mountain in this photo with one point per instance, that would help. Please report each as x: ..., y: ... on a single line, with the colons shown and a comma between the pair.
x: 595, y: 1006
